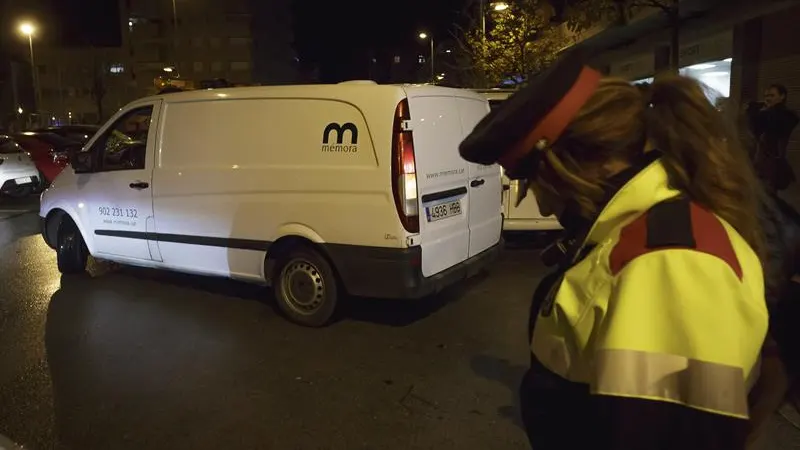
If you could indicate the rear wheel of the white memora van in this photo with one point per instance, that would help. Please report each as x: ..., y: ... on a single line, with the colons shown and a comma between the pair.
x: 305, y: 287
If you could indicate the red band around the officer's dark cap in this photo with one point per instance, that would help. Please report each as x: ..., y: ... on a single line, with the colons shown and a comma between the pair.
x: 550, y: 128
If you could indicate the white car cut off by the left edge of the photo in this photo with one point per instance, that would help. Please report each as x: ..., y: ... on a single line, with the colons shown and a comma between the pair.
x: 18, y: 174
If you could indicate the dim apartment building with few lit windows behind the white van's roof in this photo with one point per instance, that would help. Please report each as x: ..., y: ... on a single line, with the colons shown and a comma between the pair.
x: 178, y: 40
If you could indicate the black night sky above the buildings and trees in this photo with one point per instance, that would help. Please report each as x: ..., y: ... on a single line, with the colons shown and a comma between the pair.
x: 340, y: 37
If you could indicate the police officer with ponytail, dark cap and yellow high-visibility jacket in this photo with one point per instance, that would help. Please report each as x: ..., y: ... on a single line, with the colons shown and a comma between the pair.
x: 647, y: 335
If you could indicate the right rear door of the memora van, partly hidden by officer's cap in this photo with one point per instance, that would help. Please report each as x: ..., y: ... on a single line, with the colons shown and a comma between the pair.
x: 485, y: 186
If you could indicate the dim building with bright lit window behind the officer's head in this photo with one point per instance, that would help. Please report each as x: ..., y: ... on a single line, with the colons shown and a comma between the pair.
x: 737, y: 48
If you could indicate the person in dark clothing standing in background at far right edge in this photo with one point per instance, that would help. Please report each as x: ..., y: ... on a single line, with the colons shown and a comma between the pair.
x: 772, y: 124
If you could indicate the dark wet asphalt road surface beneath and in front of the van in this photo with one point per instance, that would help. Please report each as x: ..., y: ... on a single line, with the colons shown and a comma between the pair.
x: 131, y: 358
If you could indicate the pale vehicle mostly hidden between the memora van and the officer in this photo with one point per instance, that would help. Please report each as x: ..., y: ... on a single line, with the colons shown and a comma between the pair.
x: 525, y: 216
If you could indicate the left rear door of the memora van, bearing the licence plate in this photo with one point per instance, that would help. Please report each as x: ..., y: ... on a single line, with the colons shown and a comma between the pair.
x: 442, y: 183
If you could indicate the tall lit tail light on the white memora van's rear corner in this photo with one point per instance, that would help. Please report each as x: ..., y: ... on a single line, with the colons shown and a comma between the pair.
x: 404, y: 171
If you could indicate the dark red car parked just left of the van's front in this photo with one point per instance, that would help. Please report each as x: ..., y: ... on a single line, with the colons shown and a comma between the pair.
x: 49, y: 152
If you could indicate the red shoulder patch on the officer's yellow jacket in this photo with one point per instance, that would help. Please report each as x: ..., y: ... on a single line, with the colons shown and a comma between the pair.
x: 708, y: 232
